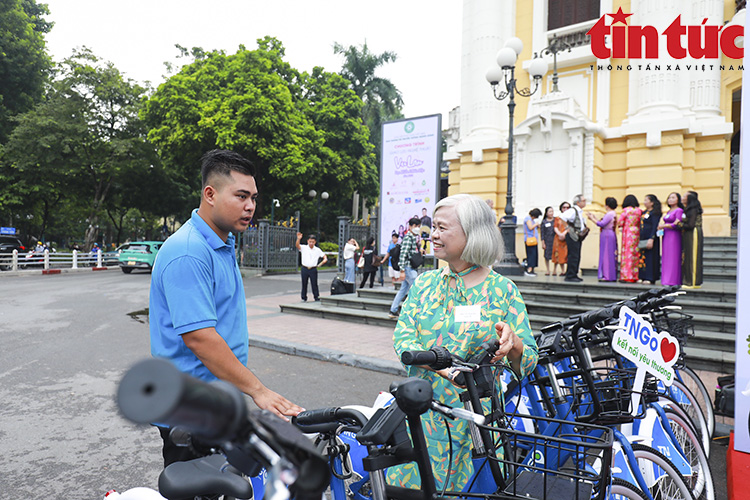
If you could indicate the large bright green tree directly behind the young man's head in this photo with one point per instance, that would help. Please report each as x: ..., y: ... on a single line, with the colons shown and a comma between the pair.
x: 302, y: 131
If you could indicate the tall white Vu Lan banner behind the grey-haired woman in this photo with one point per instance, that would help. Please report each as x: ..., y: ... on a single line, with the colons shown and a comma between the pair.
x: 410, y: 160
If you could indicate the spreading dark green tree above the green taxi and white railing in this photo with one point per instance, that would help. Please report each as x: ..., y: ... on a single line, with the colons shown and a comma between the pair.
x: 80, y: 142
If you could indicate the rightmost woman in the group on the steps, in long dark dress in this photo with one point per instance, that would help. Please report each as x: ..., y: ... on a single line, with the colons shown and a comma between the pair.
x: 692, y: 241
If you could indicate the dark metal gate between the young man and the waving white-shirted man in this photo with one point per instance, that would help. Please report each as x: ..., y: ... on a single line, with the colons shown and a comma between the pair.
x: 271, y: 247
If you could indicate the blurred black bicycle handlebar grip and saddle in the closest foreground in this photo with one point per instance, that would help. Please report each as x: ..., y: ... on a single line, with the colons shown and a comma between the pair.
x: 249, y: 441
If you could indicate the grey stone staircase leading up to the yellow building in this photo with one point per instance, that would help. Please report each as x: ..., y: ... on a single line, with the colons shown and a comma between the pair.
x: 549, y: 299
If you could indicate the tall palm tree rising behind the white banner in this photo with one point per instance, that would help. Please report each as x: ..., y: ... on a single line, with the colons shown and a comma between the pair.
x: 382, y: 99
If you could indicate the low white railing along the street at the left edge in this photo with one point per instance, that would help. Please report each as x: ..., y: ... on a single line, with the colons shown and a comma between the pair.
x: 56, y: 260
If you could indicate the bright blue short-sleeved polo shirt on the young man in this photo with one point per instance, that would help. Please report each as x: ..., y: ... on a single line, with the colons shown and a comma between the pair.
x: 196, y: 283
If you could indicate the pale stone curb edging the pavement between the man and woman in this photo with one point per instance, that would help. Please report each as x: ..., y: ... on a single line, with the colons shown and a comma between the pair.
x: 323, y: 354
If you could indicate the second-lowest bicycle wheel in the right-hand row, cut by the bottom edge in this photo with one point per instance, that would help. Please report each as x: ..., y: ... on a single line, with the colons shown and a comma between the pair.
x: 663, y: 479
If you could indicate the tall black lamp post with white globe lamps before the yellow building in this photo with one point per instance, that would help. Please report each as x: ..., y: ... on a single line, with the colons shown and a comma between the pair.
x: 505, y: 72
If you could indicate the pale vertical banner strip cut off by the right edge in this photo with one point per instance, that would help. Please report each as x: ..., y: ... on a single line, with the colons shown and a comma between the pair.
x: 742, y: 337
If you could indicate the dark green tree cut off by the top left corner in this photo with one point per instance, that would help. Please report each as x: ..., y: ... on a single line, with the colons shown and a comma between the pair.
x: 24, y: 63
